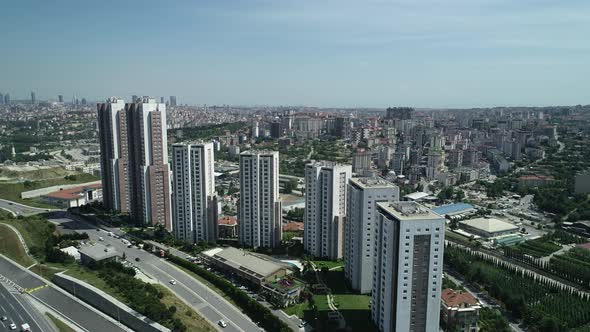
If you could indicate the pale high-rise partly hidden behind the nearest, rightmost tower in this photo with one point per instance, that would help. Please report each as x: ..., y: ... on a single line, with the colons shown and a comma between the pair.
x: 359, y: 239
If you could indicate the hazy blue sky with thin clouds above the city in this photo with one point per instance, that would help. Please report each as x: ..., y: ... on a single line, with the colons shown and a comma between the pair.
x: 327, y: 53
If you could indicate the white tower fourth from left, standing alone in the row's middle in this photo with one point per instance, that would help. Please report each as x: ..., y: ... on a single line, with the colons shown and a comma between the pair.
x: 260, y: 213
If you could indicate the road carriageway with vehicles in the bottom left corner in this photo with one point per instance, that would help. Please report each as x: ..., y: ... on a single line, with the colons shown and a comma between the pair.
x: 16, y: 313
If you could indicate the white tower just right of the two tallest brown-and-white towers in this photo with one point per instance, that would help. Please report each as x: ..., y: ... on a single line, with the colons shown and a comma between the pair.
x: 194, y: 202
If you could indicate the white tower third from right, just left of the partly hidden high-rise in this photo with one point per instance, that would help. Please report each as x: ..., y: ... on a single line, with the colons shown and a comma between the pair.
x: 325, y: 208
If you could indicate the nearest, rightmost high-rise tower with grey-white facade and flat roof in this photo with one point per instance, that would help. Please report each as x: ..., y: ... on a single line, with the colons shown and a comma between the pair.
x: 408, y: 268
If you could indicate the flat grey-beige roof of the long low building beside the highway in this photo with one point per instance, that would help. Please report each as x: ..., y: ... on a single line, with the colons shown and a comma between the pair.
x: 258, y: 265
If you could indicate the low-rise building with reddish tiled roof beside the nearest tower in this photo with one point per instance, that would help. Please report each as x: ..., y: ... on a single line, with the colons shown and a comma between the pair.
x: 459, y: 311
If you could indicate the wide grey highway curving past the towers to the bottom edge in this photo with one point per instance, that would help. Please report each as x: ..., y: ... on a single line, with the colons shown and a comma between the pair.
x: 205, y: 301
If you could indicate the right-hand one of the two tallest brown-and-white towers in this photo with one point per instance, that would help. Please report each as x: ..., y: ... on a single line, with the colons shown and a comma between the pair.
x: 148, y: 163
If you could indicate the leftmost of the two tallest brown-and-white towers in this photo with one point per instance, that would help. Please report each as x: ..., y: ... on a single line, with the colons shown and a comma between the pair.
x: 114, y: 154
